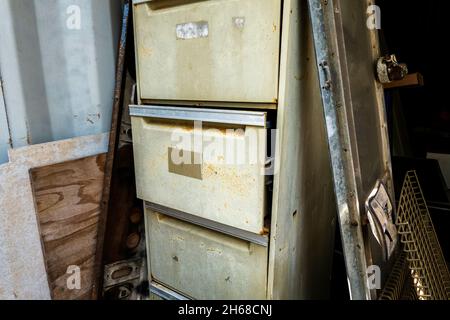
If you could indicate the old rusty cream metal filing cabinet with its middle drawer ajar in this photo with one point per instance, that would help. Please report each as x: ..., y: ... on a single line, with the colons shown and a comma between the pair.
x: 218, y: 229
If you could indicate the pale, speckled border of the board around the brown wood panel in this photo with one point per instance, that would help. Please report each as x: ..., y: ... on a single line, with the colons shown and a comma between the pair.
x: 22, y: 267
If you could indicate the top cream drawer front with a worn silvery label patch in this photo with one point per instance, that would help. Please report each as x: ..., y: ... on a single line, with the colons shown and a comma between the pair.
x: 223, y: 50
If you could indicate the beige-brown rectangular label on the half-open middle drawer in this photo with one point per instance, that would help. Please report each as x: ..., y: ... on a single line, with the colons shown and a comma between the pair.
x: 183, y: 163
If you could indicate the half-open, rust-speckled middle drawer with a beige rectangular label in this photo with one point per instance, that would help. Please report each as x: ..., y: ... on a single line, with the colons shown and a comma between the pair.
x: 204, y: 162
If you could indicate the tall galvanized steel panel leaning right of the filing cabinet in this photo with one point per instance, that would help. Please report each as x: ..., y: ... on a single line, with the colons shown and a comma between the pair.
x: 355, y: 114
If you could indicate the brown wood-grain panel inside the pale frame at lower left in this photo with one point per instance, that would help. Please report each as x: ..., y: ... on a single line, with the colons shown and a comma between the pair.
x: 67, y: 199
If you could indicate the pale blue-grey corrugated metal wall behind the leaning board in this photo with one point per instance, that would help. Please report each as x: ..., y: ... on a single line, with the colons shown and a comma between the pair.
x: 57, y: 62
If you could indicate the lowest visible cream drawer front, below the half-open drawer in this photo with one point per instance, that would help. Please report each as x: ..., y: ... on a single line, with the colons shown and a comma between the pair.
x: 203, y: 264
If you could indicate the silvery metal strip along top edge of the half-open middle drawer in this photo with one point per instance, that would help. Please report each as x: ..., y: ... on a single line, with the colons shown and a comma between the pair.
x: 237, y: 117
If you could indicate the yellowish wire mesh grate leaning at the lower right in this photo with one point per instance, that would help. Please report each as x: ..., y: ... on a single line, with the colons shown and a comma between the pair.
x: 426, y: 263
